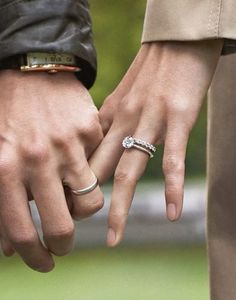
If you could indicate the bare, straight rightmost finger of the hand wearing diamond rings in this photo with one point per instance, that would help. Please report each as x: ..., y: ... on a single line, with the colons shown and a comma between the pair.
x: 174, y: 170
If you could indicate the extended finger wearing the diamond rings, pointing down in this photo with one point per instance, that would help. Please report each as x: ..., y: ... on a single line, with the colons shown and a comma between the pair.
x: 130, y: 168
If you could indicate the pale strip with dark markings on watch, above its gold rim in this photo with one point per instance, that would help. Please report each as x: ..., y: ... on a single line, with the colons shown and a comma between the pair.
x: 38, y: 58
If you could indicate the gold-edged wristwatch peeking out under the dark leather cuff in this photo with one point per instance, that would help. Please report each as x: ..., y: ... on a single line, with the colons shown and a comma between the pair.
x: 41, y: 62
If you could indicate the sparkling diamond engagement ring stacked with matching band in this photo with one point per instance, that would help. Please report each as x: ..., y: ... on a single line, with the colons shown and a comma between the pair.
x: 131, y: 142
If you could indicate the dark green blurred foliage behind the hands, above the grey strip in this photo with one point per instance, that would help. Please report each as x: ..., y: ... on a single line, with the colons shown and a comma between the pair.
x: 117, y: 34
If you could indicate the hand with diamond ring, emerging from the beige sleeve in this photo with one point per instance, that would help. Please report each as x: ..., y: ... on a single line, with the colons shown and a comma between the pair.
x: 158, y: 101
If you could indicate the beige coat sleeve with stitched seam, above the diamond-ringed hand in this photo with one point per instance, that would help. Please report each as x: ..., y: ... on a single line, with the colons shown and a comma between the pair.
x: 185, y: 20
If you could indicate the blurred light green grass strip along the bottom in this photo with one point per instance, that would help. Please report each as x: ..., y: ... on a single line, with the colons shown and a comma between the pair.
x: 101, y: 274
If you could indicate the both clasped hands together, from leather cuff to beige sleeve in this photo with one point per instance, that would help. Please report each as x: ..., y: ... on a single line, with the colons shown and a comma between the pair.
x: 50, y: 129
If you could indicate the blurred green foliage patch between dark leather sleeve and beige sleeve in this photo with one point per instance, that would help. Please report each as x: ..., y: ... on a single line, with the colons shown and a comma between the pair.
x: 117, y: 33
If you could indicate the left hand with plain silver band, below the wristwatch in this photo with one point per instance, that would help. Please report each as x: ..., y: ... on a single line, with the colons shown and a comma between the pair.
x: 49, y: 126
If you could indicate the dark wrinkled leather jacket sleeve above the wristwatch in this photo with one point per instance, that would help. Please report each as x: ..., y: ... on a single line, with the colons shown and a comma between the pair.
x: 49, y: 26
